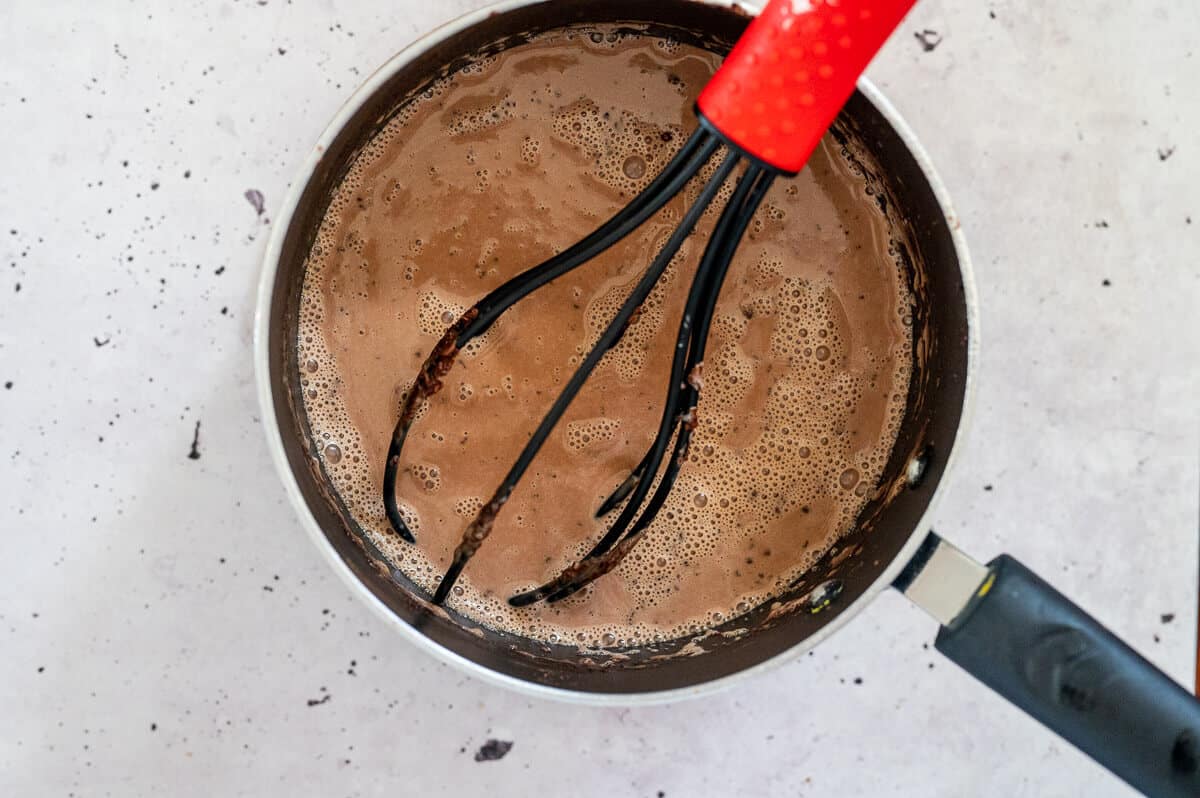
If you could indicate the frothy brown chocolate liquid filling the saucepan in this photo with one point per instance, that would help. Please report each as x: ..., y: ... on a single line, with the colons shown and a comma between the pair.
x: 500, y: 167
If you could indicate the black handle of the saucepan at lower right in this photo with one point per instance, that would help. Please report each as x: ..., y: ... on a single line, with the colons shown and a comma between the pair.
x: 1035, y: 647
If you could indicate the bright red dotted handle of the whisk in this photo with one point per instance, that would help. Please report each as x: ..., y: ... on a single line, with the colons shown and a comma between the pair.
x: 793, y: 71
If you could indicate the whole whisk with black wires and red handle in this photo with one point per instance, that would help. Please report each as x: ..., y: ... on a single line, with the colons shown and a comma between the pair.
x: 769, y: 106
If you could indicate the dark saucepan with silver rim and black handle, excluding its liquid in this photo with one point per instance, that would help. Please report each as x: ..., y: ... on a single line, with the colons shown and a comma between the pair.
x: 999, y: 621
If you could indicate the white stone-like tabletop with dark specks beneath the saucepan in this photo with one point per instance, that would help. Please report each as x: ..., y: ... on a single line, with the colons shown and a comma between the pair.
x: 164, y: 622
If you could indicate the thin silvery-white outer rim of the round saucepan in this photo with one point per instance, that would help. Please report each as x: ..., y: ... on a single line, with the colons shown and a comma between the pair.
x: 292, y: 488
